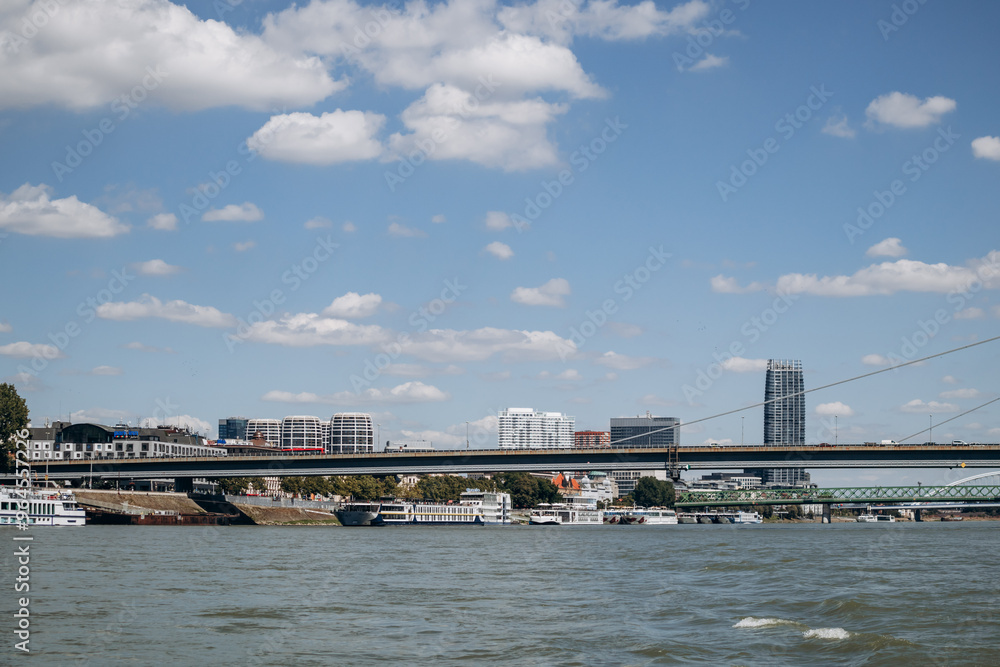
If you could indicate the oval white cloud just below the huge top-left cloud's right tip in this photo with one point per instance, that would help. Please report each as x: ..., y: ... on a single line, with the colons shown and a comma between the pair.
x: 334, y: 137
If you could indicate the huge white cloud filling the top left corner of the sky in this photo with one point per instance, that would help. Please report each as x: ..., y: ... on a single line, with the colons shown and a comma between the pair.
x: 92, y: 51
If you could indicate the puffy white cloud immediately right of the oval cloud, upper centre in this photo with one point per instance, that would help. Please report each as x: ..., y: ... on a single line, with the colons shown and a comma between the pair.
x: 511, y: 135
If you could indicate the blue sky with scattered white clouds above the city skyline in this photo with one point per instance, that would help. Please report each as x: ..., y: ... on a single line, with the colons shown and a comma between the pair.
x: 433, y: 211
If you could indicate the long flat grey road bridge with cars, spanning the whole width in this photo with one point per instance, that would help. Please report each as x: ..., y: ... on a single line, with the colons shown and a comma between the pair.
x: 496, y: 460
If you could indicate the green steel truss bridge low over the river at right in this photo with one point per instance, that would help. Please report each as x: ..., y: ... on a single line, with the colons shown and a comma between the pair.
x: 874, y: 494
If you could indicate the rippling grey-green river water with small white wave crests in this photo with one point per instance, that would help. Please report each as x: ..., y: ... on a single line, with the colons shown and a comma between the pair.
x: 789, y: 594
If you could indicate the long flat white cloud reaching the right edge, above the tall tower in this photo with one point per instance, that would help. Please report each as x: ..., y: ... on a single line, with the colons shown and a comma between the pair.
x: 903, y: 275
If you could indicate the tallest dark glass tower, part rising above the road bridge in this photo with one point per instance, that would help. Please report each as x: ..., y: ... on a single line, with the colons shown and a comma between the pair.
x: 784, y: 418
